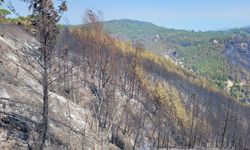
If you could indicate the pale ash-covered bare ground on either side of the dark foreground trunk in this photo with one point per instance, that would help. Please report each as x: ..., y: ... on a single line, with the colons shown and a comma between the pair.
x: 21, y: 103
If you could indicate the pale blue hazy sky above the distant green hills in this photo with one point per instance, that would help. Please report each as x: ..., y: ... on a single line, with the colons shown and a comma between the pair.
x: 180, y: 14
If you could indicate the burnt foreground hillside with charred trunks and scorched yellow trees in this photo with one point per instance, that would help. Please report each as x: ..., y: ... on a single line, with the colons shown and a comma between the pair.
x: 111, y: 95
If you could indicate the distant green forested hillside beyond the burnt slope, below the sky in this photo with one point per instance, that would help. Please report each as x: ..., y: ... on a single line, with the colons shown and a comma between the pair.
x: 219, y: 56
